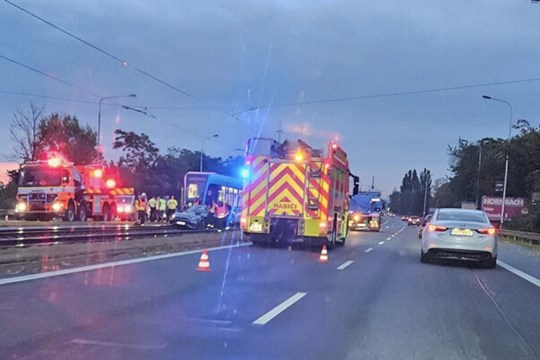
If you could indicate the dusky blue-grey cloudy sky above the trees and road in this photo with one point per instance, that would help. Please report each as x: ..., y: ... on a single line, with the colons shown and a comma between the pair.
x: 394, y: 82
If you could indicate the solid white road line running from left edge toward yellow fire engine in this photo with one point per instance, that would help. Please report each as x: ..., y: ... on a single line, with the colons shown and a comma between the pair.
x: 49, y: 274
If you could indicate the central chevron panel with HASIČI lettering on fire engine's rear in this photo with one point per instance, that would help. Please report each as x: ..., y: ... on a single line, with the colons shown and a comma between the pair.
x: 286, y: 192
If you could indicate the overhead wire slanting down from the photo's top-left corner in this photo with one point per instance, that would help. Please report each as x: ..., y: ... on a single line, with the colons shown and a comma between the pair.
x: 116, y: 58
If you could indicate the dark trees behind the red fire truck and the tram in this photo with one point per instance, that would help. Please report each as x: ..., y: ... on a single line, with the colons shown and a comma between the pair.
x: 142, y: 164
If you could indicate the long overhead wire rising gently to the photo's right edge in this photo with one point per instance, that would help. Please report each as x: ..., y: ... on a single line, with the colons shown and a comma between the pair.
x: 400, y: 93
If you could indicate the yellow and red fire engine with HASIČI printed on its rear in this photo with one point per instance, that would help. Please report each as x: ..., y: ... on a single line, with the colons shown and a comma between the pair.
x: 295, y: 192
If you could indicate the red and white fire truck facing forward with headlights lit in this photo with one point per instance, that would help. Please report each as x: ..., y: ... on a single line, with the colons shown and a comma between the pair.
x: 54, y: 187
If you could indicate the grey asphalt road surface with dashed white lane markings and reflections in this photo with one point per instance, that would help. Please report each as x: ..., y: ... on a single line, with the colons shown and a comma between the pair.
x: 372, y: 300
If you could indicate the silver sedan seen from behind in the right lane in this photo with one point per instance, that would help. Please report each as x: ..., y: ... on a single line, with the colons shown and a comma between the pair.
x: 460, y: 234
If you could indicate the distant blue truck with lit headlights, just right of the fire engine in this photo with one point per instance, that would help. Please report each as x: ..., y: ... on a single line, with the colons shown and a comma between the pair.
x: 366, y: 208
